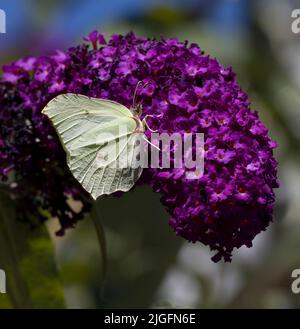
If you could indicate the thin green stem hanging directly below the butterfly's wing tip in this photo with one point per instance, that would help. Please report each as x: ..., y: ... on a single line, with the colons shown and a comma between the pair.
x: 95, y: 216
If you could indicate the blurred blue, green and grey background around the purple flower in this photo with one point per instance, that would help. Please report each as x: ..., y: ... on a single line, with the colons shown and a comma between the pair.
x: 148, y: 266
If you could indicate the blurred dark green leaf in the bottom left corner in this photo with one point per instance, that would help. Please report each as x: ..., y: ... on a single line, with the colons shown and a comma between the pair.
x: 28, y: 259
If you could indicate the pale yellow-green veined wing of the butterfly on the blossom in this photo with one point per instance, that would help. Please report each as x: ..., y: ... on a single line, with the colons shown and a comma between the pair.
x: 100, y: 141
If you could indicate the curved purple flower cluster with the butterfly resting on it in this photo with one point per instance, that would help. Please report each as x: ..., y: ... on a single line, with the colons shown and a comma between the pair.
x: 187, y: 91
